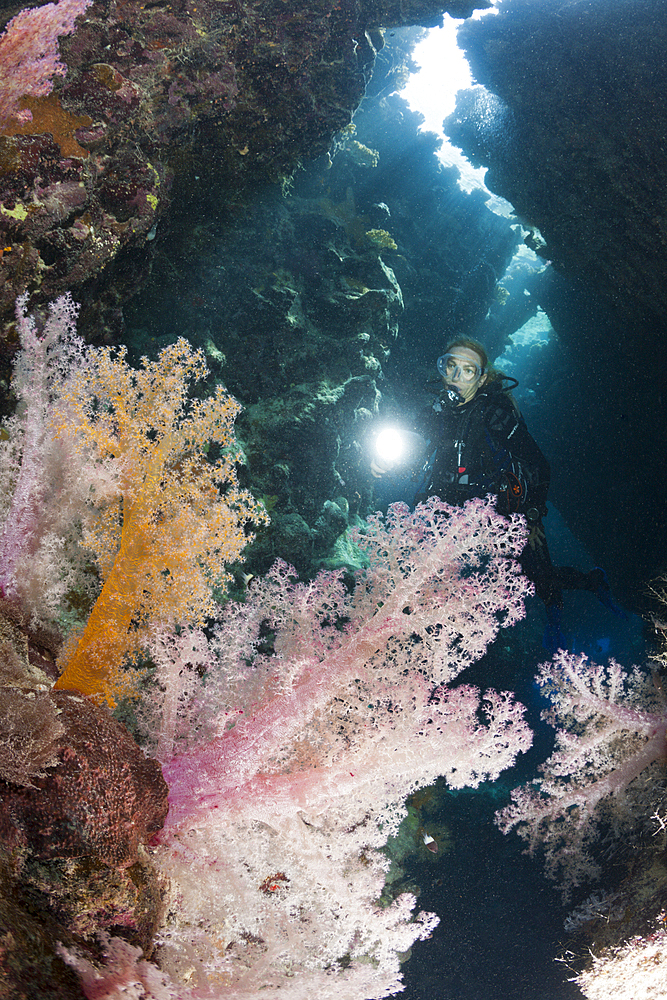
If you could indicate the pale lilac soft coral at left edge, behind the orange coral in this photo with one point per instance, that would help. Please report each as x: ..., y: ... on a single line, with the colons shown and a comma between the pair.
x: 48, y: 487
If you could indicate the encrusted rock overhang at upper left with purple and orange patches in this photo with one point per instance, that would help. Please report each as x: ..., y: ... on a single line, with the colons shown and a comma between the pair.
x: 219, y: 96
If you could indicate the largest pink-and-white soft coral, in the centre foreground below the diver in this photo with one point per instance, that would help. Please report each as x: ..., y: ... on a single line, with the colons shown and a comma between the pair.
x: 320, y: 710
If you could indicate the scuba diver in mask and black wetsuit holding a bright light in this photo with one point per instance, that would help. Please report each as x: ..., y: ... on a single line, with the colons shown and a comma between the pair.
x: 481, y: 445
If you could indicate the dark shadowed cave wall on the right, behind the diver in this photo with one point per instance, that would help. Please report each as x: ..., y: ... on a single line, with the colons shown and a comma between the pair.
x: 570, y: 118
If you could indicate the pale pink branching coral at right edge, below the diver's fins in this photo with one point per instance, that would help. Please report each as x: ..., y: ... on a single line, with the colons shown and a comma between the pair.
x: 614, y: 727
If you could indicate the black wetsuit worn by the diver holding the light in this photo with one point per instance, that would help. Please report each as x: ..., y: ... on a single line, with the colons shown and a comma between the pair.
x: 485, y: 447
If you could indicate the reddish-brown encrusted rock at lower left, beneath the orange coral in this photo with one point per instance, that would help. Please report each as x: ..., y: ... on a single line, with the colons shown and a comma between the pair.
x: 78, y: 803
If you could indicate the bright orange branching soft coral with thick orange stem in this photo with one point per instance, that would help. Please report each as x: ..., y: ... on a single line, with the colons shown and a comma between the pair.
x: 177, y: 518
